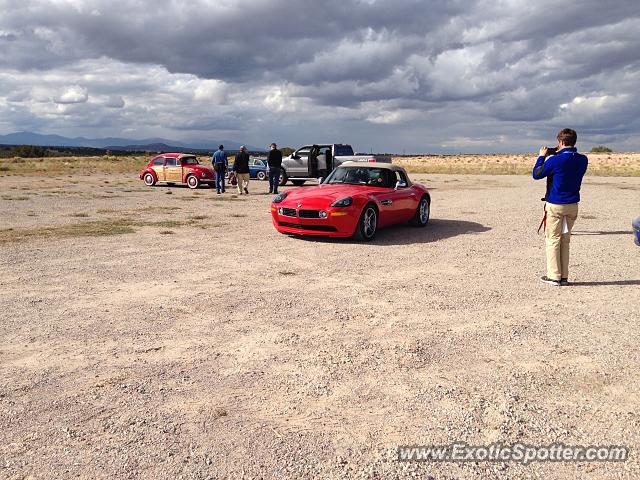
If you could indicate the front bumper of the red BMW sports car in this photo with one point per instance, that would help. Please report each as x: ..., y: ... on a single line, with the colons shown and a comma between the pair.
x: 340, y: 222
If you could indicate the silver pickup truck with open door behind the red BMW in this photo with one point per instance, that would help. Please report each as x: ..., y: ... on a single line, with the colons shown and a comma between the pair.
x: 318, y: 160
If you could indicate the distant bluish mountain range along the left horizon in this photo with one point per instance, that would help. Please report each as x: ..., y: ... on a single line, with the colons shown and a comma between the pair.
x: 115, y: 143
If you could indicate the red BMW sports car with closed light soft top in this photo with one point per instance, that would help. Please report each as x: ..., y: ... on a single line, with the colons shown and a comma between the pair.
x: 354, y: 200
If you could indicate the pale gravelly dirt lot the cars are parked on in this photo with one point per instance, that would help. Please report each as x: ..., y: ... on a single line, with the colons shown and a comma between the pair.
x: 164, y: 333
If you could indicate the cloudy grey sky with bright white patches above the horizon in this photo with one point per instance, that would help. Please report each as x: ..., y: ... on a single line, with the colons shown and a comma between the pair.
x: 384, y: 75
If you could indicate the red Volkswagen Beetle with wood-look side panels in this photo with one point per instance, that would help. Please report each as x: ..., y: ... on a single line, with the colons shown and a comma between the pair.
x: 176, y: 168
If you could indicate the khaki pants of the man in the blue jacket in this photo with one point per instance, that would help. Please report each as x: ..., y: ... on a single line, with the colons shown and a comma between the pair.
x: 558, y: 242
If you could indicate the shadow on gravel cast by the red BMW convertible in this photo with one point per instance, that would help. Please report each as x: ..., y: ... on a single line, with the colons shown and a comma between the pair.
x: 437, y: 229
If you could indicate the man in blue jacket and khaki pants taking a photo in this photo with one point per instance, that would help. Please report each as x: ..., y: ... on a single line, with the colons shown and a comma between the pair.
x: 565, y: 167
